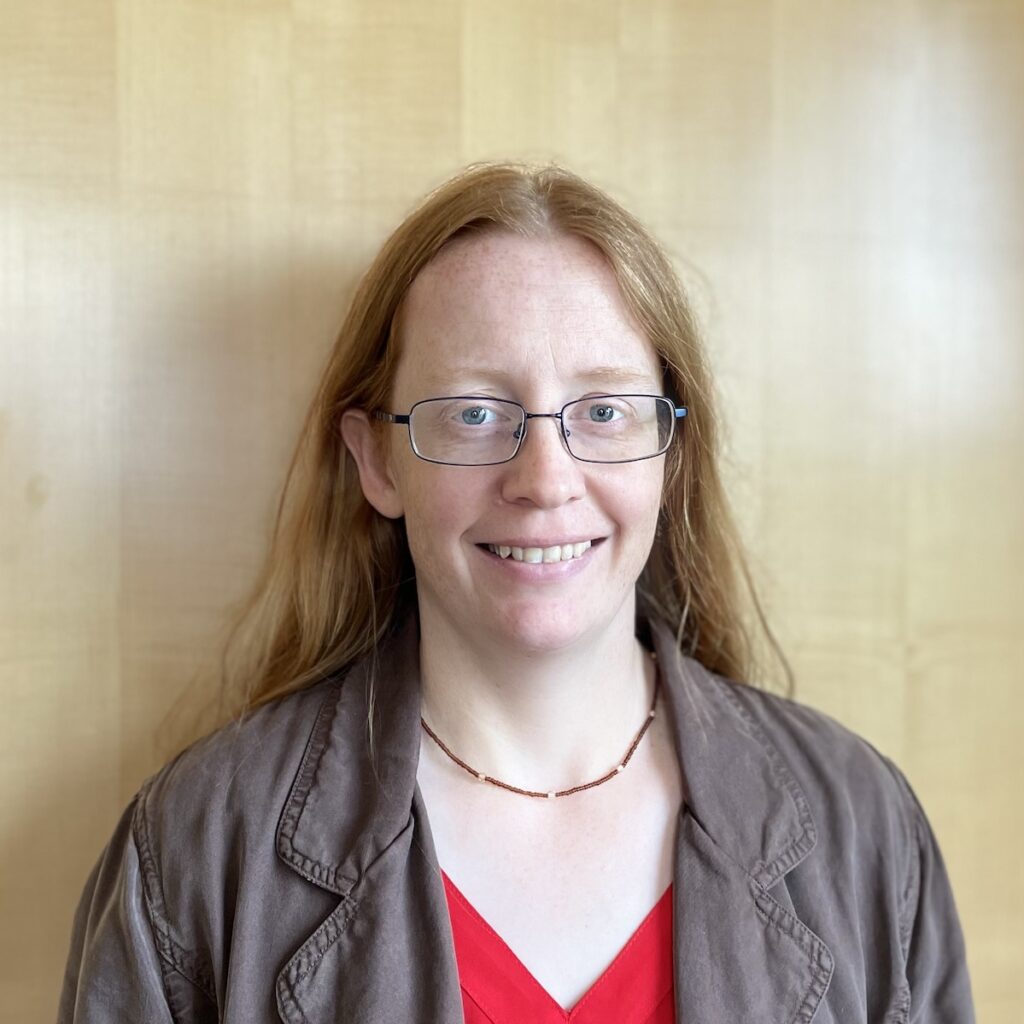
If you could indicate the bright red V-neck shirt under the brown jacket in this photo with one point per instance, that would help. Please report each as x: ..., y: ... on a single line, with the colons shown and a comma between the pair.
x: 497, y: 989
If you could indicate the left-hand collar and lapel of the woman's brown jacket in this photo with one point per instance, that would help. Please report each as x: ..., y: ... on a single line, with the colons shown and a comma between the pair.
x: 358, y: 828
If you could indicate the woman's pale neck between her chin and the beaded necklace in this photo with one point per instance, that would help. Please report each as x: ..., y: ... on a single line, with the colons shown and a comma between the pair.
x: 536, y: 720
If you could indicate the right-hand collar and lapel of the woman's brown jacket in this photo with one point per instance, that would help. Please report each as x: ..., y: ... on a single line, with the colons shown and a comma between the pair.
x: 740, y: 953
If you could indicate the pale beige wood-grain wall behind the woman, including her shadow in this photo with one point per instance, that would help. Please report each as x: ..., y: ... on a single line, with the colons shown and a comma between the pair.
x: 188, y: 191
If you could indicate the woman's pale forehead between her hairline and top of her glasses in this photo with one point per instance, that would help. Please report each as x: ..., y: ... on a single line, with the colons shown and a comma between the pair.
x: 498, y: 306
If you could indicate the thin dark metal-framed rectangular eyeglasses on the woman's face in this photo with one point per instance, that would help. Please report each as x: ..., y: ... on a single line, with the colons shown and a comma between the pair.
x: 476, y: 431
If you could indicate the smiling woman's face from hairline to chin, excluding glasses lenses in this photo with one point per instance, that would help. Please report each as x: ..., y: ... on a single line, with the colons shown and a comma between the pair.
x: 541, y: 322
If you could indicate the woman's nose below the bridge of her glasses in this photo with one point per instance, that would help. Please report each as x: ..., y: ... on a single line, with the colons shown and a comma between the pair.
x: 543, y: 474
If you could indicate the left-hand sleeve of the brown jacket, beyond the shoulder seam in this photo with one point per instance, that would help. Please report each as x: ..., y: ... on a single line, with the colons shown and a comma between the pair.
x: 114, y: 970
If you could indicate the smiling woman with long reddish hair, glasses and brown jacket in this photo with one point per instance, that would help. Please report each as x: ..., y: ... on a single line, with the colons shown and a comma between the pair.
x: 495, y: 766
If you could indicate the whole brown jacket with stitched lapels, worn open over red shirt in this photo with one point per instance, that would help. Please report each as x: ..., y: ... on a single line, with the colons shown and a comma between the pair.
x: 270, y: 875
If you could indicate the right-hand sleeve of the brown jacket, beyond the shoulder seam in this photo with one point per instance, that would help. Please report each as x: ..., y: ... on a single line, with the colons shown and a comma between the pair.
x: 936, y: 958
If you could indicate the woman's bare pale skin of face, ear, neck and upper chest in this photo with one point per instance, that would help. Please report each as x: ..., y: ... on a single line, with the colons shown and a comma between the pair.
x: 534, y: 675
